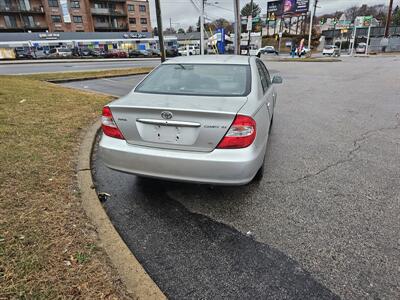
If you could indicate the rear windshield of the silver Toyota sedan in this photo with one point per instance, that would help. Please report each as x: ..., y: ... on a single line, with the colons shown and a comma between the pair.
x: 198, y: 79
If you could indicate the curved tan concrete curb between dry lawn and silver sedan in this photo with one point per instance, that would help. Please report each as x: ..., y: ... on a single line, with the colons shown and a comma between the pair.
x: 135, y: 278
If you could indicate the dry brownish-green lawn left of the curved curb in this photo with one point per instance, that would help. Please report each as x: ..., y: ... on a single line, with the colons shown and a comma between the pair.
x: 47, y: 245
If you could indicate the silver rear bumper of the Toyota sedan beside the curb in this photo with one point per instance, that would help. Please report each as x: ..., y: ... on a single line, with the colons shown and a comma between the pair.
x: 221, y: 166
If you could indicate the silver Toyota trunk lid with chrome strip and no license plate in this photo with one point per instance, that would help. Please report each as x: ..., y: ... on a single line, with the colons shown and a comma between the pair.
x: 182, y: 122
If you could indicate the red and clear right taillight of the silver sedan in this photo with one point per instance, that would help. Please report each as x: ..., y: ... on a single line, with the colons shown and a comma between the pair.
x: 241, y: 134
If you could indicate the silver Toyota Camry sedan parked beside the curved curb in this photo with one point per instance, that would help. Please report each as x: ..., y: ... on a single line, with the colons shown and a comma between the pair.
x: 203, y: 119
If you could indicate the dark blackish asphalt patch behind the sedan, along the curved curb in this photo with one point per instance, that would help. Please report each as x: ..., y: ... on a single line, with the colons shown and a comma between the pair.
x: 192, y: 256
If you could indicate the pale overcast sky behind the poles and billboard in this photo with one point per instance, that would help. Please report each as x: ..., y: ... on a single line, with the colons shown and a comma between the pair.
x: 183, y: 13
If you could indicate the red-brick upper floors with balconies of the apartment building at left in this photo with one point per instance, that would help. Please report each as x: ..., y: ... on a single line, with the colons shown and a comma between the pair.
x: 74, y: 16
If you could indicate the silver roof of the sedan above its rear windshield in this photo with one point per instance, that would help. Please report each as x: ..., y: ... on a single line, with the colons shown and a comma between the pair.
x: 210, y: 59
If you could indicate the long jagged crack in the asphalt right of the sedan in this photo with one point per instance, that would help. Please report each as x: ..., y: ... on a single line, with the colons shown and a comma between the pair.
x: 350, y: 156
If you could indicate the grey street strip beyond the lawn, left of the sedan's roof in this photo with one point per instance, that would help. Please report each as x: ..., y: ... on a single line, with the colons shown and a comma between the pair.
x: 9, y: 69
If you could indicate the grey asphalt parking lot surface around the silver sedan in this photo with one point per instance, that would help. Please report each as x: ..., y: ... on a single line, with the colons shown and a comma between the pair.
x: 324, y: 222
